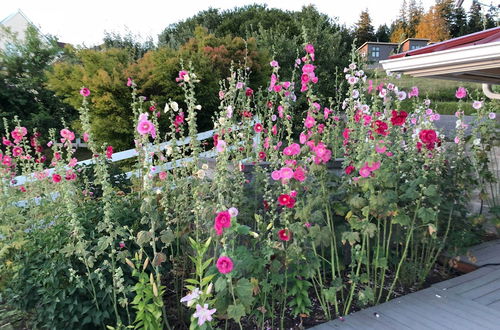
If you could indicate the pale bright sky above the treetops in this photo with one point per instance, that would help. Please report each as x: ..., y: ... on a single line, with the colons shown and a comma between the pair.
x: 84, y: 22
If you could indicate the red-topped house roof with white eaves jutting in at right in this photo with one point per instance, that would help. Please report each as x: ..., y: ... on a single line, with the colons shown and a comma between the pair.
x: 474, y: 57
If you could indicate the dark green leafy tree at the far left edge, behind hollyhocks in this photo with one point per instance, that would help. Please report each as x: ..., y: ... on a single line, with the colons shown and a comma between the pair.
x: 23, y: 91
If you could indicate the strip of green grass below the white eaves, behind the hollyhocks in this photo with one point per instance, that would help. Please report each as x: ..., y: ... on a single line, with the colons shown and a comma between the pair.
x: 441, y: 92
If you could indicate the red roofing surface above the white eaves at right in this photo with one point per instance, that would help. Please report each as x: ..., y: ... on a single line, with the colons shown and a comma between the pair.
x: 477, y: 38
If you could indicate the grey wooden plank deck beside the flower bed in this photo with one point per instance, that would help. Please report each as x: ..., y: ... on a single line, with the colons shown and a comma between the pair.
x: 470, y: 301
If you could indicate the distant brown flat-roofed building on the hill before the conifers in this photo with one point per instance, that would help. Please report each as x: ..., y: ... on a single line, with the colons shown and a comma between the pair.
x: 374, y: 52
